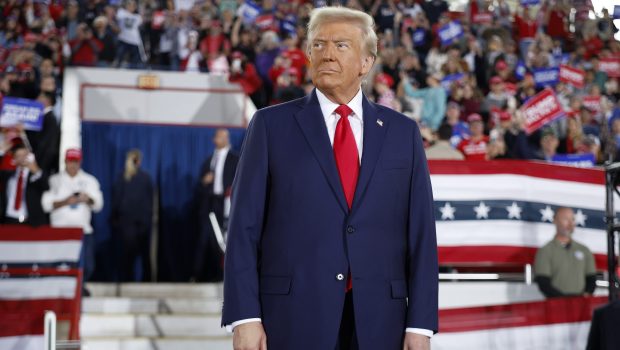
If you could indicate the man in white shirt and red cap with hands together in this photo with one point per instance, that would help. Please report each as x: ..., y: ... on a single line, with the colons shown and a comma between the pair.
x: 72, y: 197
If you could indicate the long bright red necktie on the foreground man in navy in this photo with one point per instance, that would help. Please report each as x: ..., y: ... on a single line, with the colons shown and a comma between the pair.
x: 347, y: 159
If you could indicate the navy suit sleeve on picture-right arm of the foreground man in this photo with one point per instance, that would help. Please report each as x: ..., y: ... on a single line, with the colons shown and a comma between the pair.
x: 423, y: 267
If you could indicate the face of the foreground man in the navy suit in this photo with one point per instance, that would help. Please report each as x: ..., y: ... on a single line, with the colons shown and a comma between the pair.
x: 337, y: 62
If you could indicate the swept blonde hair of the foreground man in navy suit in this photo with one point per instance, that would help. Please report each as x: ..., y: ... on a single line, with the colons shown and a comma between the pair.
x: 364, y: 21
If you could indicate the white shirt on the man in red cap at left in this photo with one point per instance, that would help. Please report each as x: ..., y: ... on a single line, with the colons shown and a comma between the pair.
x: 62, y: 185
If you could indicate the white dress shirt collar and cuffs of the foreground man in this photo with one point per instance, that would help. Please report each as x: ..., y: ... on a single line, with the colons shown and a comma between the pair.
x: 357, y: 126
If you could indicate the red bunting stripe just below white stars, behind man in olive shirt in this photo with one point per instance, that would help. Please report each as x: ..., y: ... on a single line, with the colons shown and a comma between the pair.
x: 497, y: 255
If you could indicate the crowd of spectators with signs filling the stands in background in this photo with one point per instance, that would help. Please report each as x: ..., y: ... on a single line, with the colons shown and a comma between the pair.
x: 475, y: 82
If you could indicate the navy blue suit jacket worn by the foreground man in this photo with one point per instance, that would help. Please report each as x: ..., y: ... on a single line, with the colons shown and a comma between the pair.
x: 291, y: 233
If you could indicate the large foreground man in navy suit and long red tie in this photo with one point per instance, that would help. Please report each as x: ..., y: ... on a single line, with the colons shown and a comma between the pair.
x: 332, y: 235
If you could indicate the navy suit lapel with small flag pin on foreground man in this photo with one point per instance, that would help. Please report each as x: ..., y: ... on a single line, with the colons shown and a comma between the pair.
x: 374, y: 133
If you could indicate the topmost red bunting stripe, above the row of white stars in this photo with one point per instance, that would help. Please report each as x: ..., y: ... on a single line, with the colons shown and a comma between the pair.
x: 517, y: 167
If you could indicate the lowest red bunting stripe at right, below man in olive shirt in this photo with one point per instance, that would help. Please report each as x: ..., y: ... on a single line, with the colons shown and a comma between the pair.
x: 548, y: 312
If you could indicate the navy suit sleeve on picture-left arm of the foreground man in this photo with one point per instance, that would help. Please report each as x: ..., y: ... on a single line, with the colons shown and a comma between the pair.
x: 250, y: 188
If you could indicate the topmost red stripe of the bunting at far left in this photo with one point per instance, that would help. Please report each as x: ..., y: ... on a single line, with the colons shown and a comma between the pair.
x: 42, y: 233
